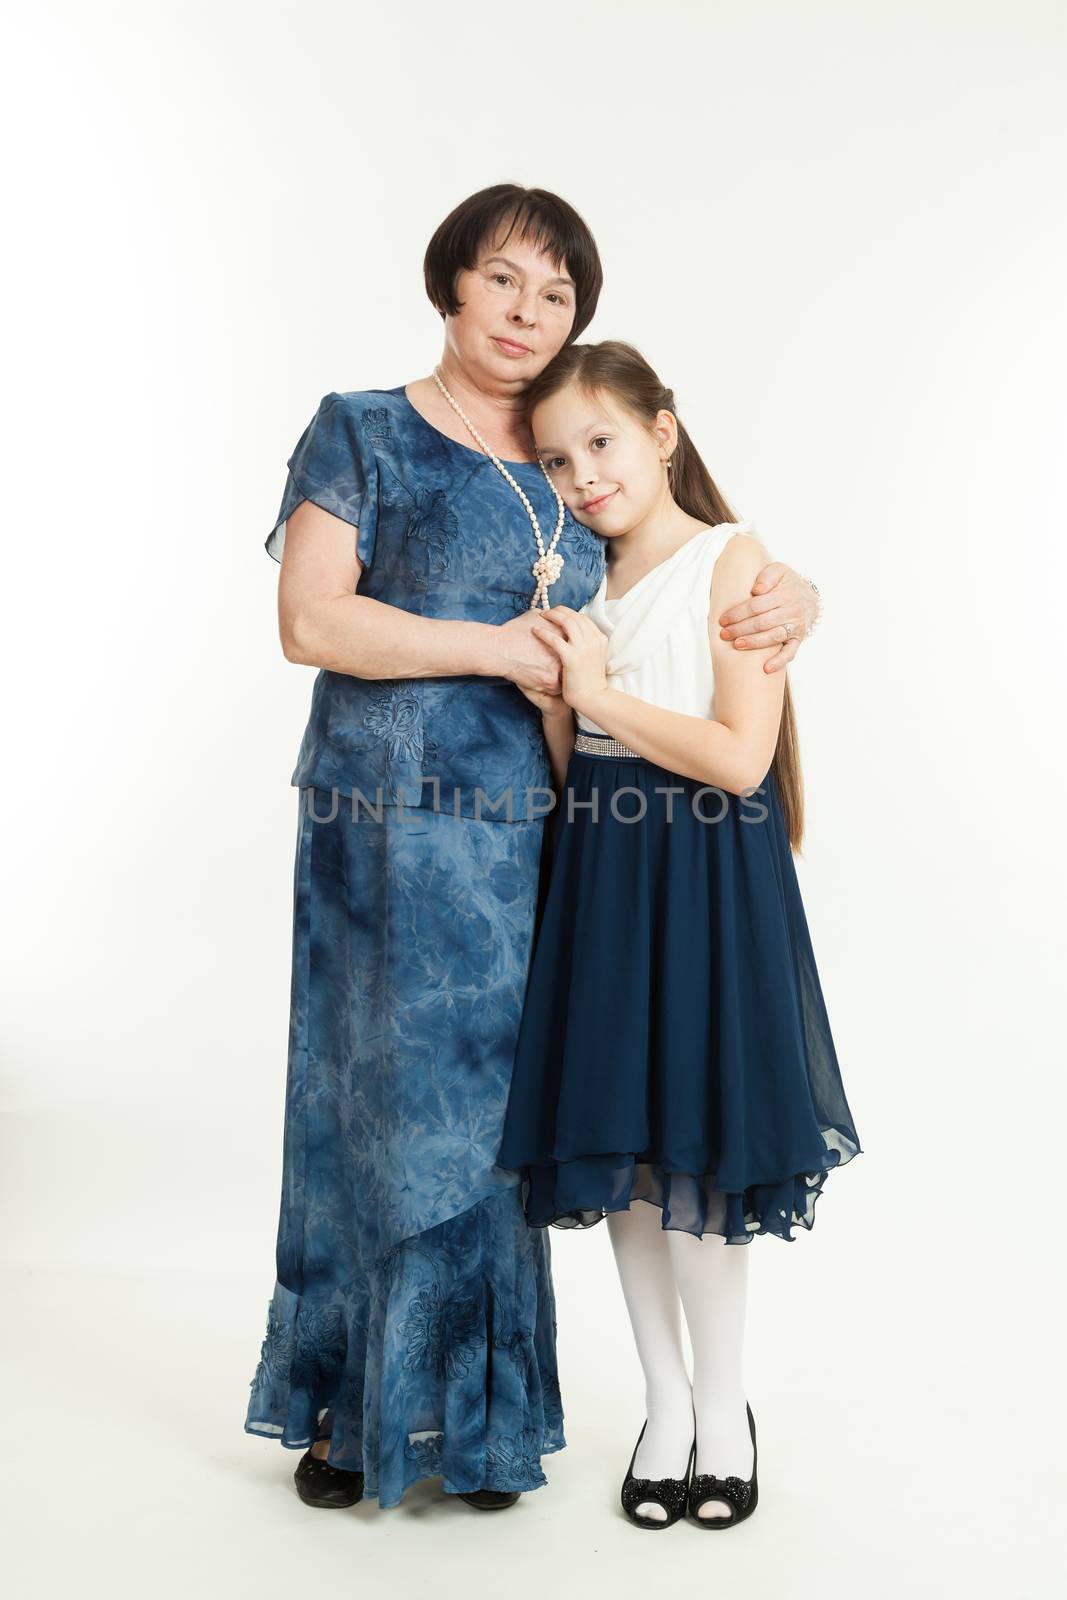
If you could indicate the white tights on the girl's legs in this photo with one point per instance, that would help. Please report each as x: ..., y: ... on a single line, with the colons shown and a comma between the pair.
x: 665, y: 1271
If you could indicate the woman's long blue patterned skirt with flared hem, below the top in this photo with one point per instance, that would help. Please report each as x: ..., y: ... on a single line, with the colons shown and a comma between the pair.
x: 414, y: 1318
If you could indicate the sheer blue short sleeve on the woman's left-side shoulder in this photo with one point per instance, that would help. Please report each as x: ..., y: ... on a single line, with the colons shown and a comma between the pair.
x: 335, y: 468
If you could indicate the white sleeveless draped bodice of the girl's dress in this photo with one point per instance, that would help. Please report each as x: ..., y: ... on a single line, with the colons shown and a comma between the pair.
x: 658, y: 646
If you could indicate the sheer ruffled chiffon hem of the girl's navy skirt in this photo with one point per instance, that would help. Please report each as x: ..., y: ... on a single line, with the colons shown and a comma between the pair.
x: 583, y: 1191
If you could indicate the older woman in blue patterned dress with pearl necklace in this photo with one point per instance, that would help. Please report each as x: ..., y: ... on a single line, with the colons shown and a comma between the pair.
x: 412, y: 1330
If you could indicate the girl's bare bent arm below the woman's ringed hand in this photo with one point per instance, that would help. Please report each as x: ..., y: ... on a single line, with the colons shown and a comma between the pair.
x: 737, y: 748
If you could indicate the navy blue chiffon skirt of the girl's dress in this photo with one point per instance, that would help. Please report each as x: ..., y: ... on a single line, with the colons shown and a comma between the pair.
x: 674, y: 1044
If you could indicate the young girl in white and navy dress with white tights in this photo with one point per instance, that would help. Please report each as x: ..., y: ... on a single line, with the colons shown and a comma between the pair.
x: 674, y: 1046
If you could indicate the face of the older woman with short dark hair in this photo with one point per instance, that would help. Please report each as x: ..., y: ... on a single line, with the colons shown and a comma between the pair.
x: 518, y: 311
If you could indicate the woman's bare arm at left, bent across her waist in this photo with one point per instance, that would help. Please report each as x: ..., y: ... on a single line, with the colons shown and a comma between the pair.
x: 326, y: 623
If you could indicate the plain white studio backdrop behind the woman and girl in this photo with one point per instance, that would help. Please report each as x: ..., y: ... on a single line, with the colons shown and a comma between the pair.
x: 839, y: 234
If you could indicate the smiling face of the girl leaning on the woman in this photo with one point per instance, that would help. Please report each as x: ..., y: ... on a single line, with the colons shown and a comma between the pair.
x: 602, y: 458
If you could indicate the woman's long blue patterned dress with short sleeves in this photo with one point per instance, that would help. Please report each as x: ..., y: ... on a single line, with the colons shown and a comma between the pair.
x: 412, y: 1318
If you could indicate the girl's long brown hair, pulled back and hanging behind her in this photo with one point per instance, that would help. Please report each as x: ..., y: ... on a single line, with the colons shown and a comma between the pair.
x: 621, y: 370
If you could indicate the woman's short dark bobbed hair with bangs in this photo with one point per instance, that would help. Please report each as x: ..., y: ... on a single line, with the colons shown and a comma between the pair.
x: 545, y: 218
